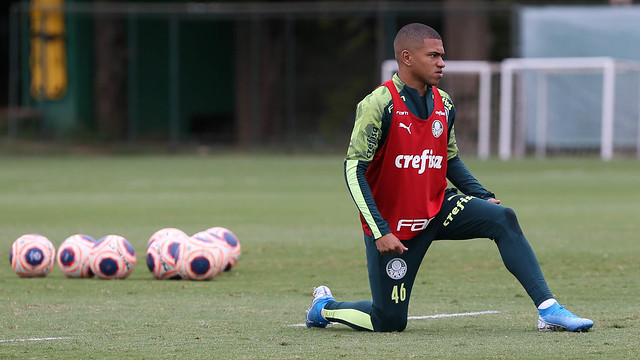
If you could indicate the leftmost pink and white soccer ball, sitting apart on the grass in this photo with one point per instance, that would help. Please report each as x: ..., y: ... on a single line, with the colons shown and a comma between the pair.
x: 32, y: 255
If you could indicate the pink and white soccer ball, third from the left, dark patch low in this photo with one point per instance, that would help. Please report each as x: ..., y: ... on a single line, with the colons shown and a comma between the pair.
x: 112, y: 257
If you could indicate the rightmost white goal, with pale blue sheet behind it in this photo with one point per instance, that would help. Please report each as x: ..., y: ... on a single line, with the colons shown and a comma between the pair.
x: 571, y: 90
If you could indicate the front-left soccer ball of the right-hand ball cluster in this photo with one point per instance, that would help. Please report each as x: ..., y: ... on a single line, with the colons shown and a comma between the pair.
x: 164, y: 255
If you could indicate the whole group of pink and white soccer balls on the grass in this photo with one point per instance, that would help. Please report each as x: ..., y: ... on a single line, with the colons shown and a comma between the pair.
x: 171, y: 254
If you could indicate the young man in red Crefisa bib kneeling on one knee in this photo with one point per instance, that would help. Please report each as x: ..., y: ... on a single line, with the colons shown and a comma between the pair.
x: 401, y: 153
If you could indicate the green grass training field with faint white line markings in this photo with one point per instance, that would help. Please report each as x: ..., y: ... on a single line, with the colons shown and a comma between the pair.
x: 298, y: 228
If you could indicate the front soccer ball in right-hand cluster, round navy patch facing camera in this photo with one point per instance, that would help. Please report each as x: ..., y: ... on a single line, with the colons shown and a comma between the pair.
x: 202, y: 261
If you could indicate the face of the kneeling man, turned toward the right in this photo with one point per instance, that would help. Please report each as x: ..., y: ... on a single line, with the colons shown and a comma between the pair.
x: 427, y: 62
